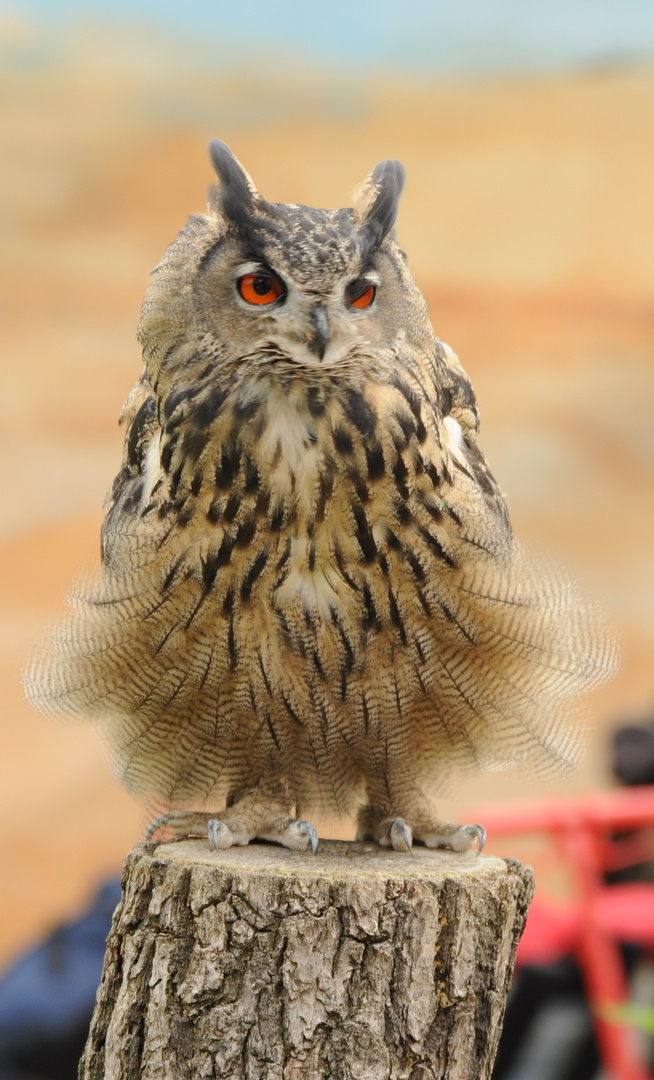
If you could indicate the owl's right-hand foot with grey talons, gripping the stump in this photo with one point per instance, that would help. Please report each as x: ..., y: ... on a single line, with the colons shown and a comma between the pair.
x: 397, y: 833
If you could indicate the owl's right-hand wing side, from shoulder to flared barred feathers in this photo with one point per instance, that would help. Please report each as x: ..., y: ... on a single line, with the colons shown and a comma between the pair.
x: 499, y: 644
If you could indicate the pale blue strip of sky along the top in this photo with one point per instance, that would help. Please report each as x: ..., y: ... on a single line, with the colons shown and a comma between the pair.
x: 421, y: 36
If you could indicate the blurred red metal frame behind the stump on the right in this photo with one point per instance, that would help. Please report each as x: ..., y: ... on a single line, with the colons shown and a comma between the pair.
x: 599, y: 917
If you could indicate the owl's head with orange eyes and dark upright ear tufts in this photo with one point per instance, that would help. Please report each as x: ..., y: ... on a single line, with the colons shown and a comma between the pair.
x: 274, y: 283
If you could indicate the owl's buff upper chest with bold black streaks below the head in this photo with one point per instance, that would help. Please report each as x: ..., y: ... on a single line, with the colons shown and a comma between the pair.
x: 310, y: 506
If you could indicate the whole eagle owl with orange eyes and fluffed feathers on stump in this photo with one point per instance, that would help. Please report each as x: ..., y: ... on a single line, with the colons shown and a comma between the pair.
x: 311, y: 600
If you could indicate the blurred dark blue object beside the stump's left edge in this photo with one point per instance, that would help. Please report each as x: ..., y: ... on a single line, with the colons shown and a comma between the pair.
x: 47, y: 997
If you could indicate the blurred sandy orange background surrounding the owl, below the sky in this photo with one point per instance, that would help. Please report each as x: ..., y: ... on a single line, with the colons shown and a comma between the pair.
x: 528, y: 223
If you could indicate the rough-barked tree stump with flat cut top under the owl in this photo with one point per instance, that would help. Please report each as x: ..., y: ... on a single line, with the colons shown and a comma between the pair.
x: 261, y: 964
